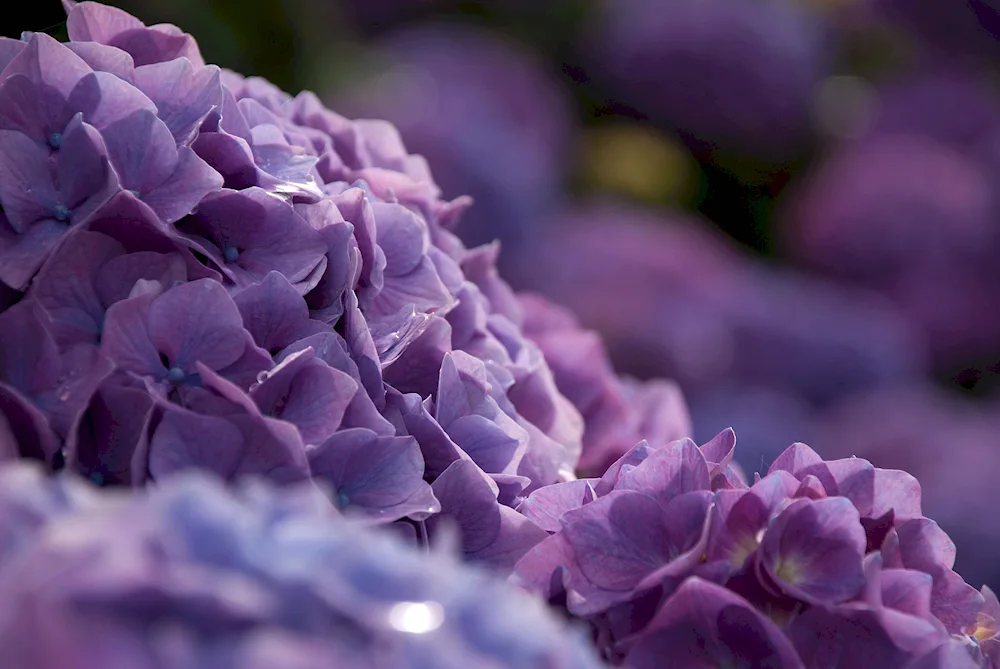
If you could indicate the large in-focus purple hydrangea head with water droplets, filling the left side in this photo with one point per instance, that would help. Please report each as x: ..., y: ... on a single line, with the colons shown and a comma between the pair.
x: 204, y: 272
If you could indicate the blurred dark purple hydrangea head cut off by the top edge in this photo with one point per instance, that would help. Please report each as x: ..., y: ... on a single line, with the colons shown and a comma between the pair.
x: 733, y: 76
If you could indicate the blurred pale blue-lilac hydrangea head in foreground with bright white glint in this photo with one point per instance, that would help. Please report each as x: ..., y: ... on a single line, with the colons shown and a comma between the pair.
x: 254, y: 578
